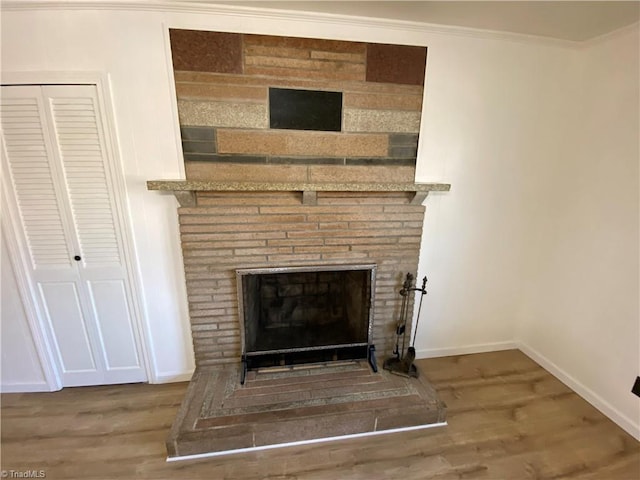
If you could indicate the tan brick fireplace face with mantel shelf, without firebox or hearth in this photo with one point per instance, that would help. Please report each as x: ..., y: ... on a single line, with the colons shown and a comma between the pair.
x: 223, y: 231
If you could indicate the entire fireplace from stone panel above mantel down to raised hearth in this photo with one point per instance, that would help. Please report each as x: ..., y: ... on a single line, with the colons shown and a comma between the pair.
x: 299, y: 157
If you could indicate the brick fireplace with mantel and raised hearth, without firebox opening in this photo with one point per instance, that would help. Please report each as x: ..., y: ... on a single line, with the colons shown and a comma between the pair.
x: 232, y: 227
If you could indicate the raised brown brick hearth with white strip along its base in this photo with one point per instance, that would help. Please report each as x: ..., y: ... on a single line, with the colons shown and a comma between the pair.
x: 281, y: 407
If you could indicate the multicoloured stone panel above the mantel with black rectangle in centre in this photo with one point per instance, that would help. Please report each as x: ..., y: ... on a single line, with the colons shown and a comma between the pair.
x: 232, y: 121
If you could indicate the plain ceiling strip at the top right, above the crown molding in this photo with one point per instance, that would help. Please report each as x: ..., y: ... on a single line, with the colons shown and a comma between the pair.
x: 565, y: 20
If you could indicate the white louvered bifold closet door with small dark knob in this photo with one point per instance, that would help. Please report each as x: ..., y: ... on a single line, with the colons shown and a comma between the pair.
x: 57, y: 157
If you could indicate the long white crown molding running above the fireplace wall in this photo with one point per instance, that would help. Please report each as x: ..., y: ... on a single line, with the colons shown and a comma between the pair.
x: 206, y: 8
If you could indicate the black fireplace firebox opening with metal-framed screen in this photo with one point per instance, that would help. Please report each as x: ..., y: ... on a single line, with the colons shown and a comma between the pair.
x: 306, y: 314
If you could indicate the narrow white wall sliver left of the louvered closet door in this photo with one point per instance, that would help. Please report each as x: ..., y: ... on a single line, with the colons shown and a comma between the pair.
x: 21, y: 370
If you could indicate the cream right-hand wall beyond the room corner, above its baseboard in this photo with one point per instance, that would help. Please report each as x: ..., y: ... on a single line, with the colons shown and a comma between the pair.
x: 579, y: 315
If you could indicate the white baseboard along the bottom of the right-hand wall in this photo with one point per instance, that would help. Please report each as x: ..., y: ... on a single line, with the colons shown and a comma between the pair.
x: 624, y: 422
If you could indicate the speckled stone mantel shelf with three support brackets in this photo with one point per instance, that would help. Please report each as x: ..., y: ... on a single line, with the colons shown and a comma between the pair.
x: 184, y: 190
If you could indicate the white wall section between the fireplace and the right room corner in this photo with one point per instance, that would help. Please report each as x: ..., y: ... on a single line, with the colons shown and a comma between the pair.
x: 489, y: 123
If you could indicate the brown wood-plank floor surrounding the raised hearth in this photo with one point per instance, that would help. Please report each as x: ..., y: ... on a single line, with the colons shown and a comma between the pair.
x: 508, y: 419
